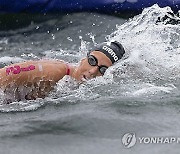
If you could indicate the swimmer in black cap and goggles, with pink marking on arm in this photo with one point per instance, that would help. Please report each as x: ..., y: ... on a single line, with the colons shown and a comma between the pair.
x: 41, y: 76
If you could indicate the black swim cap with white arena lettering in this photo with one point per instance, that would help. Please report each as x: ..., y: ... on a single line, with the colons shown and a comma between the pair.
x: 113, y: 50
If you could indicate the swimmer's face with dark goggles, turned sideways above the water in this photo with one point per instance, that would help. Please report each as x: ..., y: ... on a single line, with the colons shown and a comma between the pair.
x: 95, y: 64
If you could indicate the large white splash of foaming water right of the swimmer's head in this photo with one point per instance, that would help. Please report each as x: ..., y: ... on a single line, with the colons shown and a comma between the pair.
x: 151, y: 66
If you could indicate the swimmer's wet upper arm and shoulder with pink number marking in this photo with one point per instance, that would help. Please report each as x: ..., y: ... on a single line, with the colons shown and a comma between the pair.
x: 32, y: 71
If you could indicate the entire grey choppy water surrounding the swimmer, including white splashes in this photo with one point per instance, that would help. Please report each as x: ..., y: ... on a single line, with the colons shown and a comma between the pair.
x: 140, y: 94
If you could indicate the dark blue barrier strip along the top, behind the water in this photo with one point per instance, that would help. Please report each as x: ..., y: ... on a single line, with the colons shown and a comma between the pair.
x: 67, y: 6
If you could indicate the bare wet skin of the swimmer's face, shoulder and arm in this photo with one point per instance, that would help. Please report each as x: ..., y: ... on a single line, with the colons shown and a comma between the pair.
x: 42, y: 81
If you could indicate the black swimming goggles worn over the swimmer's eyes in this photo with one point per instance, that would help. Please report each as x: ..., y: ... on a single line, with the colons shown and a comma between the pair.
x: 92, y: 60
